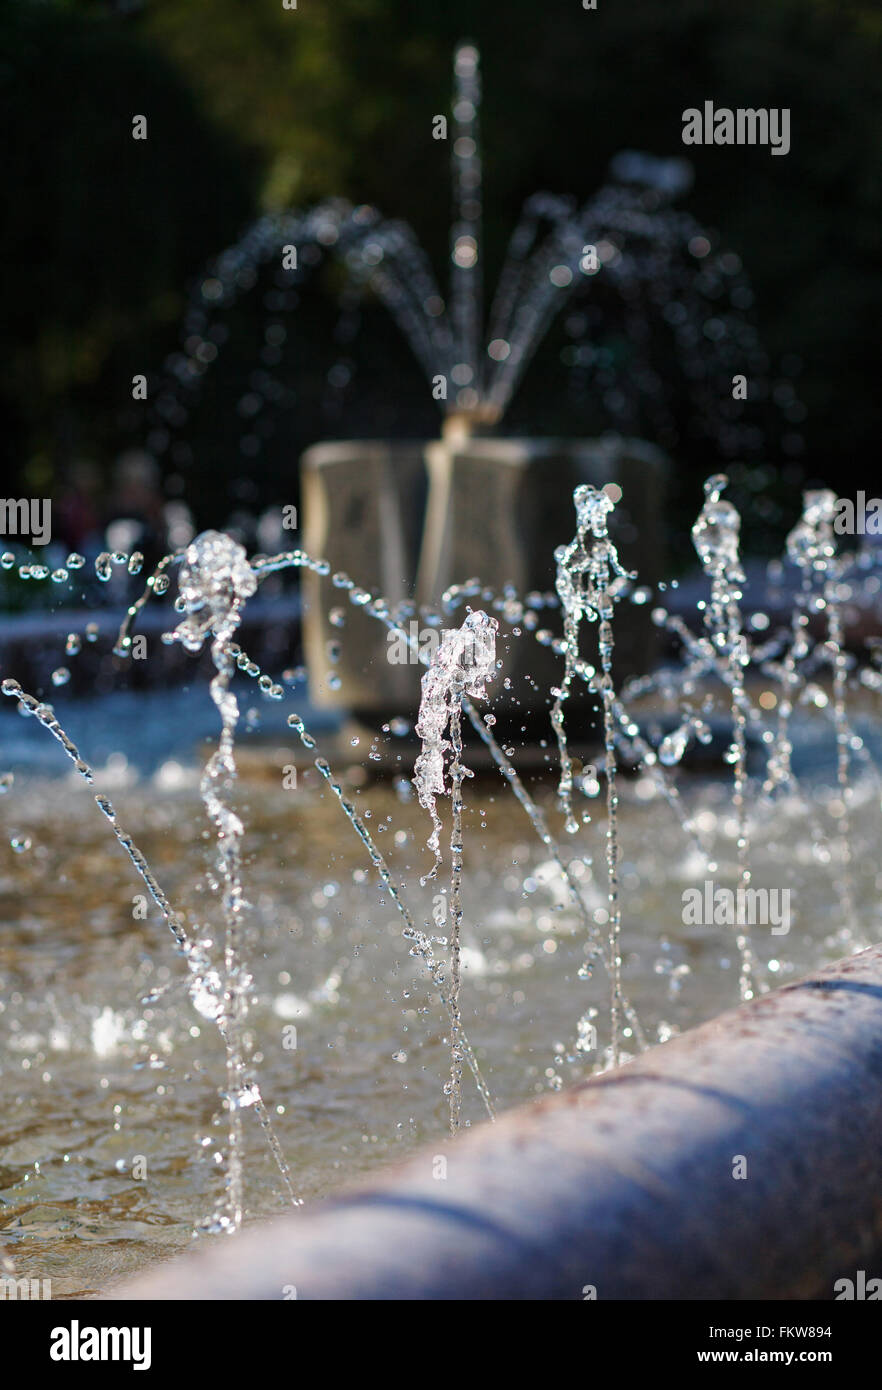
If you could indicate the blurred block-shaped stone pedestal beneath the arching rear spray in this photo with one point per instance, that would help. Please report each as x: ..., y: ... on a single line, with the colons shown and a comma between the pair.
x: 408, y: 521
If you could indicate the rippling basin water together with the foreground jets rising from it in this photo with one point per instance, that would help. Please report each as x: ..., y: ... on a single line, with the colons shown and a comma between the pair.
x: 470, y: 949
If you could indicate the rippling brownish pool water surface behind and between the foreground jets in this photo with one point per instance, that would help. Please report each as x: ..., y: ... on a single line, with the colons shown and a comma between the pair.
x: 92, y: 1079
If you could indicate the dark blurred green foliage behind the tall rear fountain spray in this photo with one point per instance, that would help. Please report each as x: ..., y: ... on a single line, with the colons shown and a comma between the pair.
x: 253, y: 106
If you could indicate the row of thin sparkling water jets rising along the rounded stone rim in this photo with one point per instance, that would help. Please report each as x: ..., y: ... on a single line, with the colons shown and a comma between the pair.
x: 217, y: 579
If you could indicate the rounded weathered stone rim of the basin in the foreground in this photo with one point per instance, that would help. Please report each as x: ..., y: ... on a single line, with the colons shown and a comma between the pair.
x: 624, y: 1184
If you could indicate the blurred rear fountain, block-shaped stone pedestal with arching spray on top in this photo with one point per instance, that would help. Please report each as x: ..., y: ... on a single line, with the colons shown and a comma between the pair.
x: 402, y: 515
